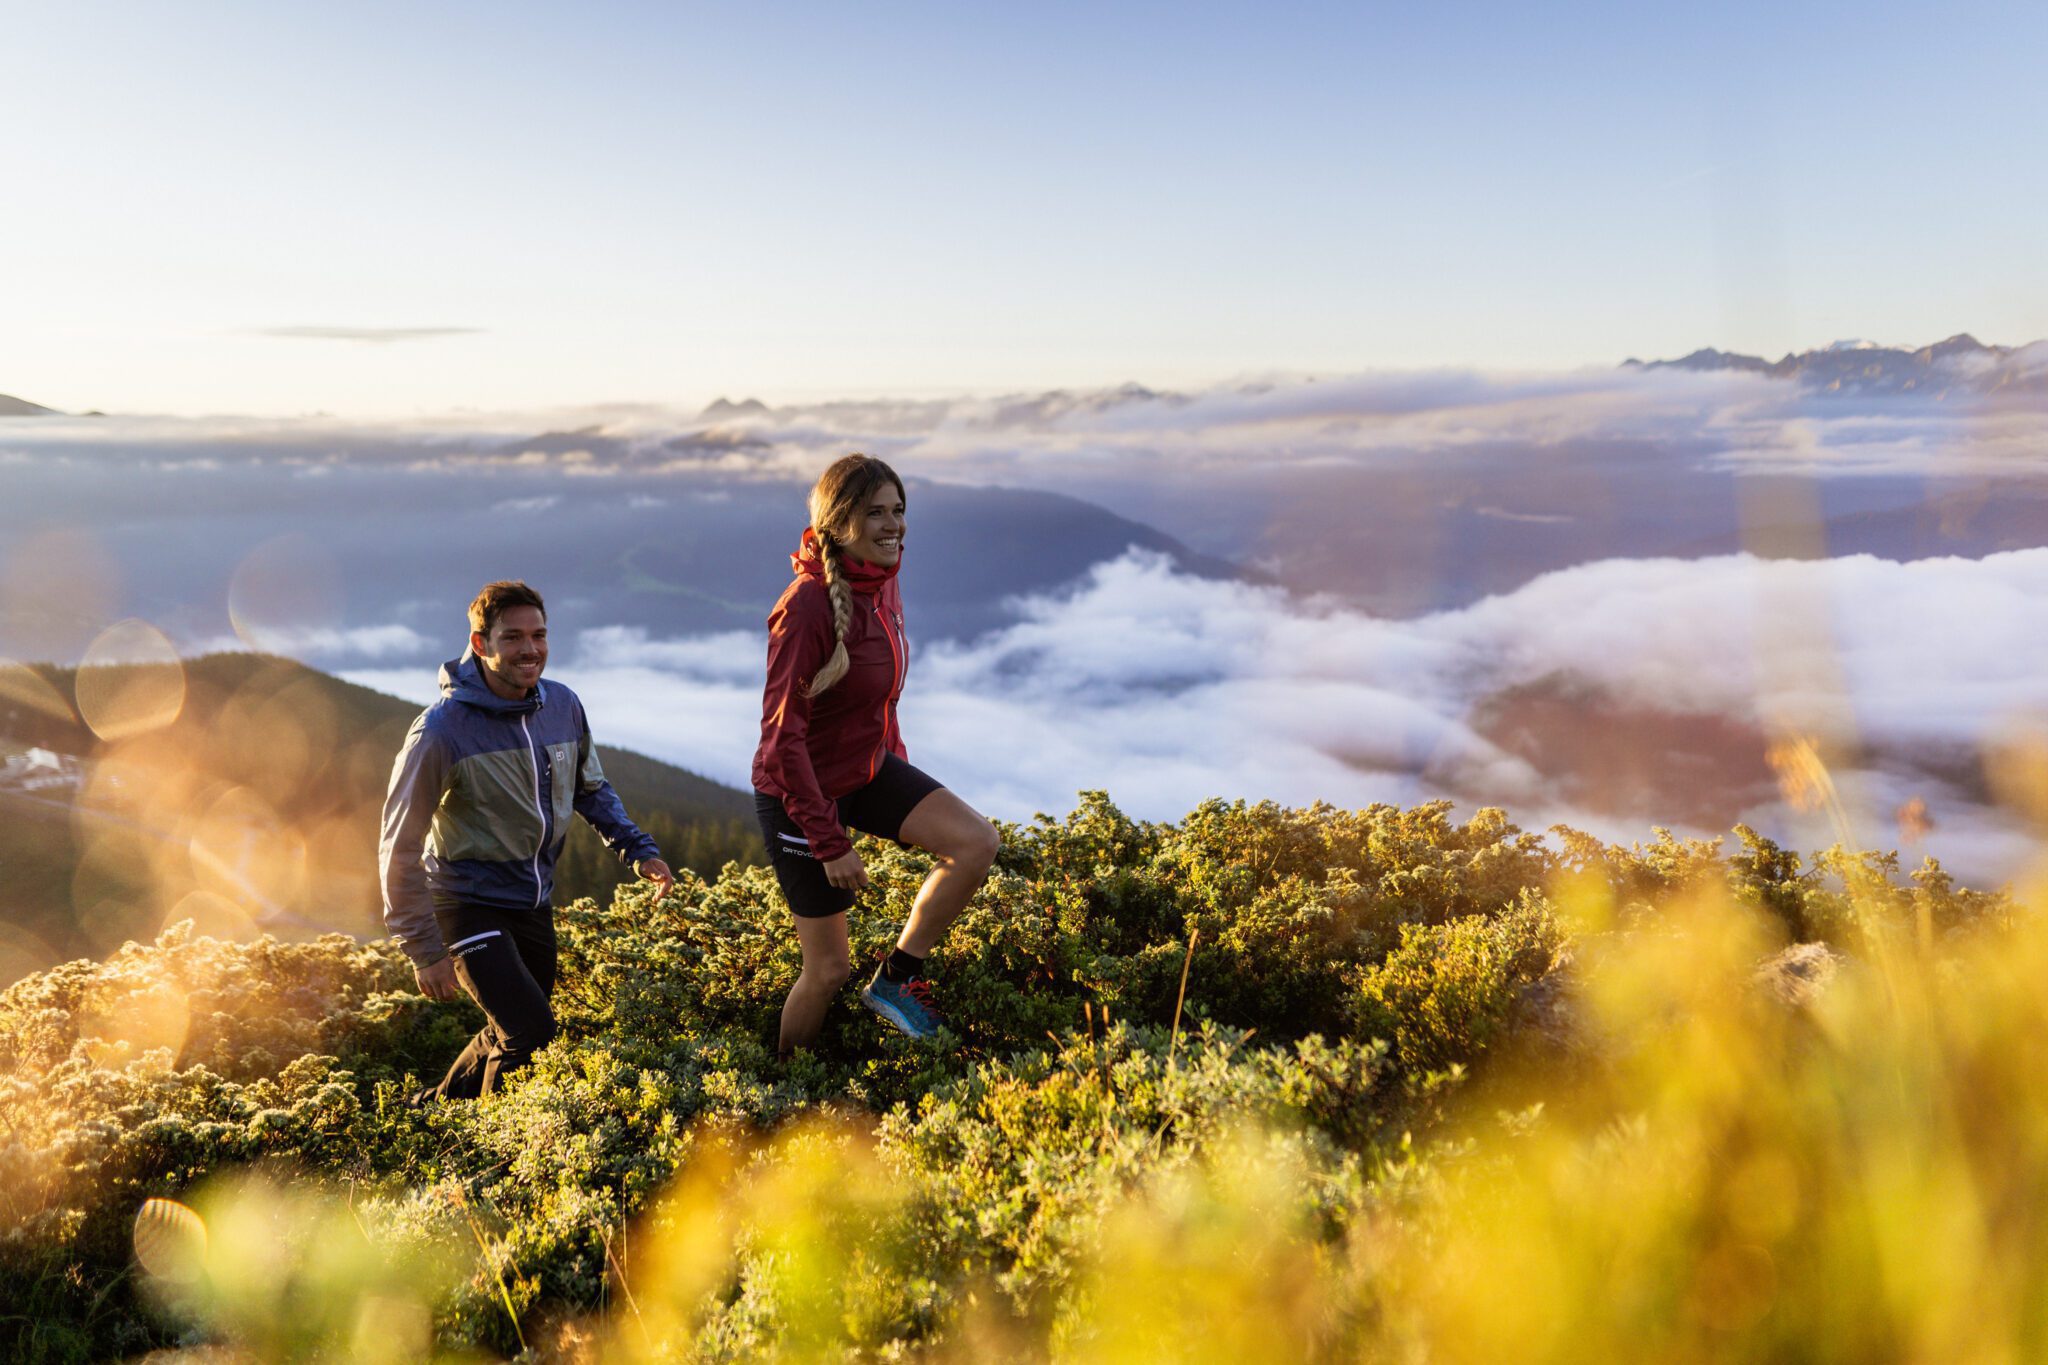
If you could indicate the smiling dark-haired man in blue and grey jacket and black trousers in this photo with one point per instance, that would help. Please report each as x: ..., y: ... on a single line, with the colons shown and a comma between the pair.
x: 474, y: 822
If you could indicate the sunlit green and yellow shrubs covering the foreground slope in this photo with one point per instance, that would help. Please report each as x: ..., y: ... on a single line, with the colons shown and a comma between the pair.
x: 1265, y: 1086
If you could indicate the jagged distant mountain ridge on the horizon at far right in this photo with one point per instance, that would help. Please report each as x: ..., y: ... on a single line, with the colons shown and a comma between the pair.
x: 1959, y: 363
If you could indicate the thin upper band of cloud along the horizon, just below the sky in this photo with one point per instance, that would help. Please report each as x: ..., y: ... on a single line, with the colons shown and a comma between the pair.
x: 1730, y: 421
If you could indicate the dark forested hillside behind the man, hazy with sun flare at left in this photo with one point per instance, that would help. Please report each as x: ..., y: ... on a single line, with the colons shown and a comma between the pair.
x: 247, y: 791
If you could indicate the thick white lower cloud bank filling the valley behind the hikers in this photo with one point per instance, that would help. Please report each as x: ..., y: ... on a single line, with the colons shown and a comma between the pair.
x: 1166, y: 691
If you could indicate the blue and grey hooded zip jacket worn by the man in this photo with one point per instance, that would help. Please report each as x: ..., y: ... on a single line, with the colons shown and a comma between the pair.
x: 480, y: 803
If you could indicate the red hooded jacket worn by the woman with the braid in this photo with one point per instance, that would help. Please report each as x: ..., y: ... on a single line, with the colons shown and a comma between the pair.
x: 816, y: 750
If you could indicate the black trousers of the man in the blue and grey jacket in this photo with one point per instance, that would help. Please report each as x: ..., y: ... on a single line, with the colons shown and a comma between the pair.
x: 507, y: 965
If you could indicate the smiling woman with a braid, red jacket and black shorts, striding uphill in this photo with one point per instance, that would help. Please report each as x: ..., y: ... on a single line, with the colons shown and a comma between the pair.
x: 833, y: 756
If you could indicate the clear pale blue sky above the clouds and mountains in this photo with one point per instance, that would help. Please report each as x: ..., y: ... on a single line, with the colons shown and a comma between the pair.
x: 667, y: 204
